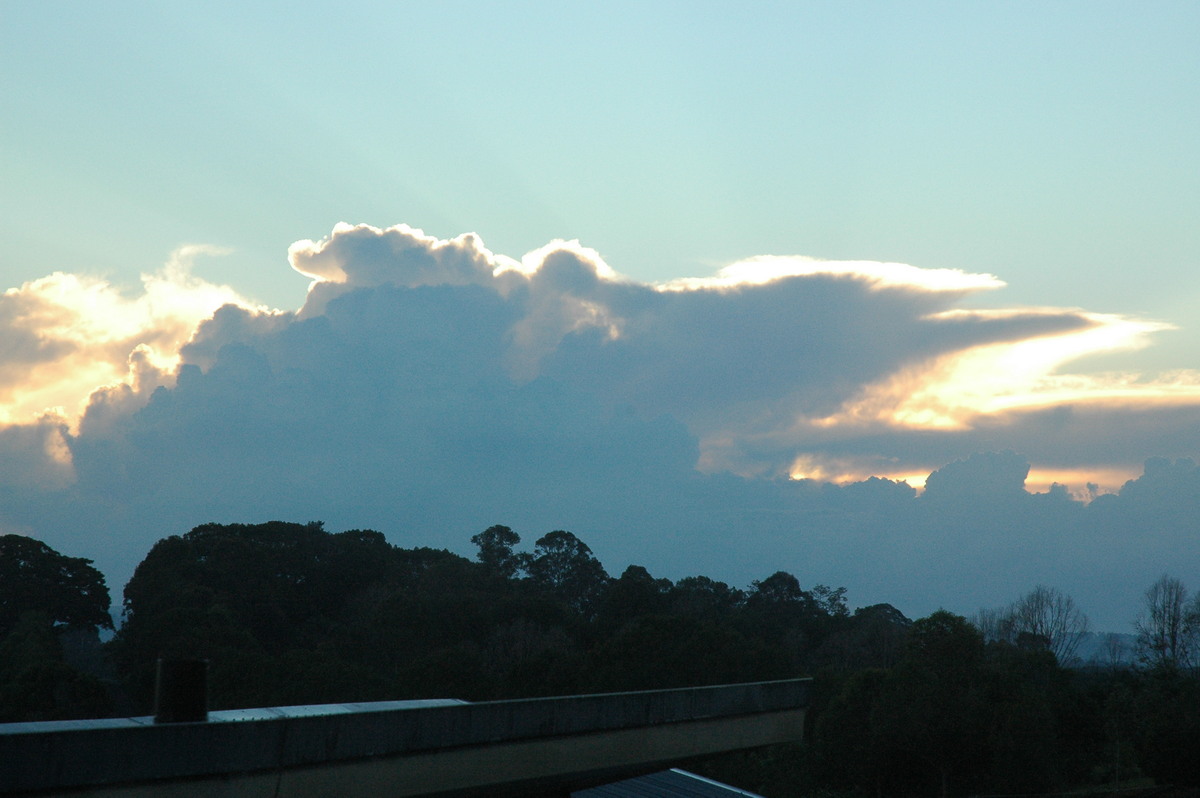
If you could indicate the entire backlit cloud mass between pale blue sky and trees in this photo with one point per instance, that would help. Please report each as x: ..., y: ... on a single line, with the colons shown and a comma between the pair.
x: 430, y: 388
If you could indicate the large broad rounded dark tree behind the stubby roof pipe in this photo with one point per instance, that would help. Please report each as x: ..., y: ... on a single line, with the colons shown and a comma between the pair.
x: 249, y: 598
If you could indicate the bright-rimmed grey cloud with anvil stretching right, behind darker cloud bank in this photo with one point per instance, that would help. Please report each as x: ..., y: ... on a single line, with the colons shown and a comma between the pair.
x: 773, y: 356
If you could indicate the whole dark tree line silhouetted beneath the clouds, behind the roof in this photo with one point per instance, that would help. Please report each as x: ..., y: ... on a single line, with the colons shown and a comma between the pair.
x: 292, y: 614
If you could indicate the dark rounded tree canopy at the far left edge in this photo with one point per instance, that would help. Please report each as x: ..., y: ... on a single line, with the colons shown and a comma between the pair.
x: 35, y: 578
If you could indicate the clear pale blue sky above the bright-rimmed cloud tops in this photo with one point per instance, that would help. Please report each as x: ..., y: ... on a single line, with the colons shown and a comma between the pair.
x: 1052, y: 145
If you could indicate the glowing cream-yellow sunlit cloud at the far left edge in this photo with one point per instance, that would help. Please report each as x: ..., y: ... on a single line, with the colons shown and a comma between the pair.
x: 68, y: 335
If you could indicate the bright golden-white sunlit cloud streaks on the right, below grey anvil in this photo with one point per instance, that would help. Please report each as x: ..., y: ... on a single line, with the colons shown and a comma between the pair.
x: 957, y: 392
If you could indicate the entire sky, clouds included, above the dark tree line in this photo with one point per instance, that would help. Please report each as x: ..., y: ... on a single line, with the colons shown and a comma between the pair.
x: 680, y: 278
